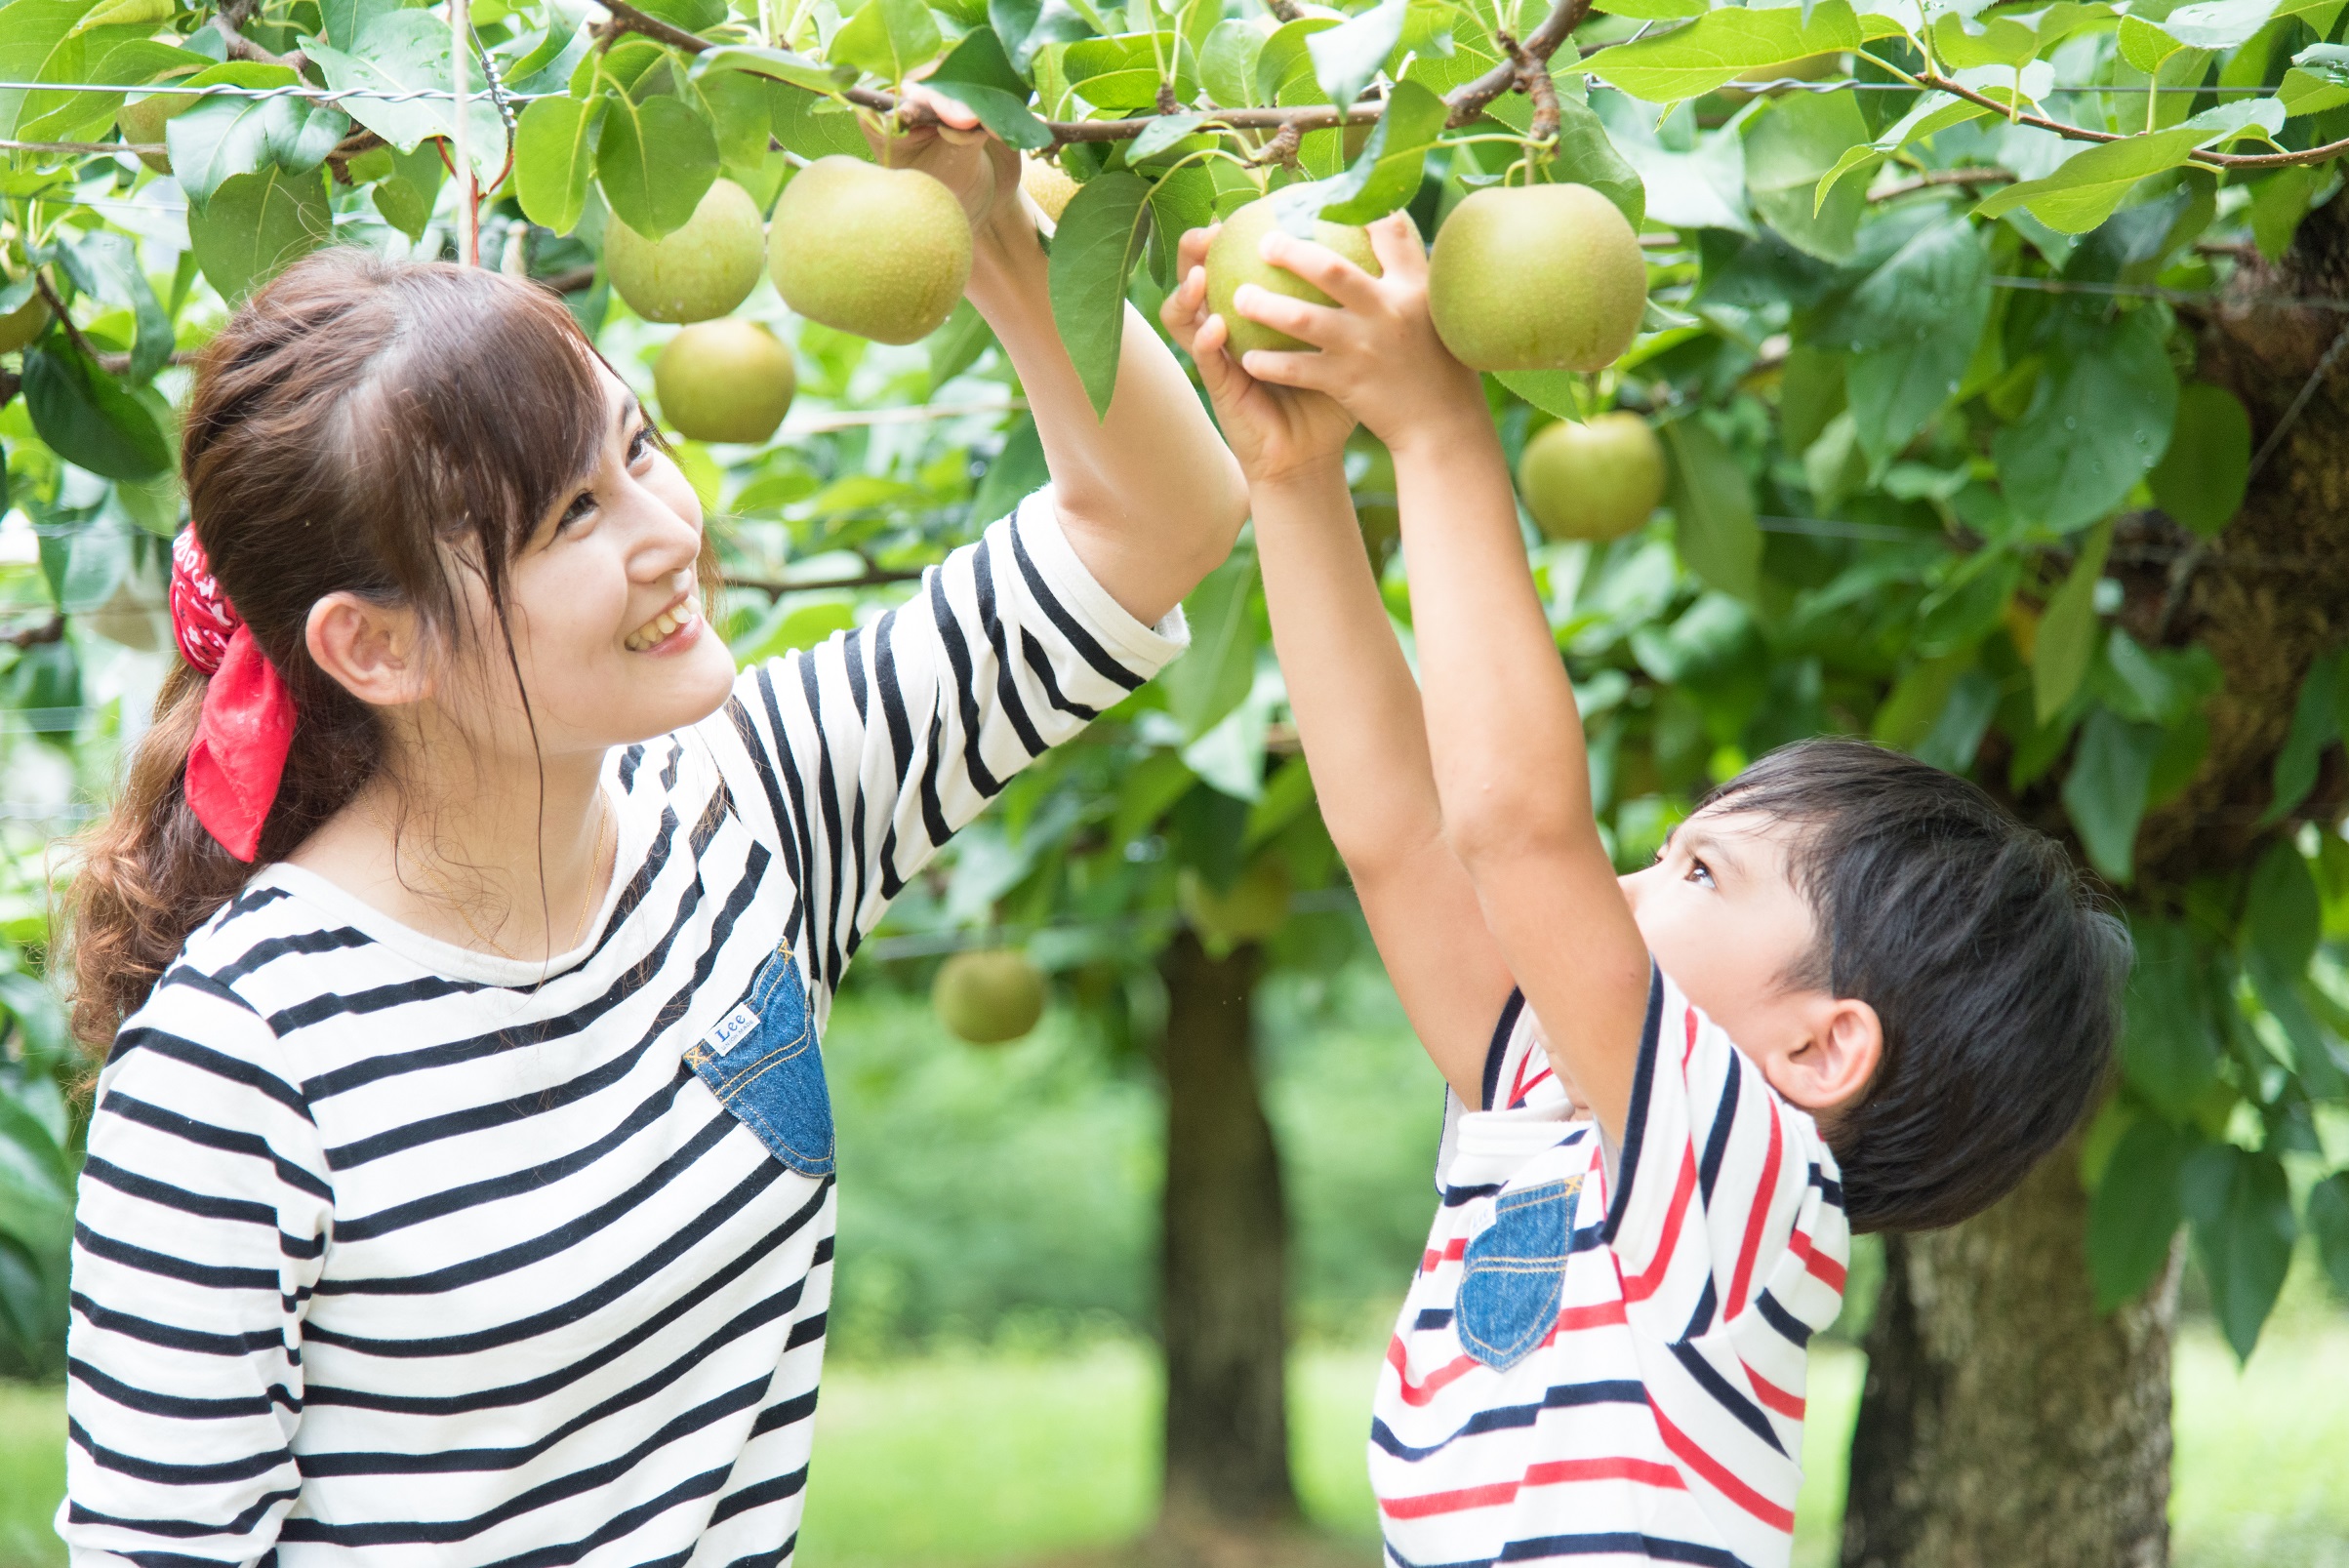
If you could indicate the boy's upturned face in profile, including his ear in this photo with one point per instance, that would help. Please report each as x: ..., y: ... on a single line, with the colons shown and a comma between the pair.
x: 1723, y: 917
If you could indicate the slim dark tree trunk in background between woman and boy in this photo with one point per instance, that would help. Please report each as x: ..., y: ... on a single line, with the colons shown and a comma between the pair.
x: 1225, y: 1264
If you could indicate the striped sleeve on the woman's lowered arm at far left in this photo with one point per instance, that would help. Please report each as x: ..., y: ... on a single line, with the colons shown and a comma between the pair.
x: 201, y: 1234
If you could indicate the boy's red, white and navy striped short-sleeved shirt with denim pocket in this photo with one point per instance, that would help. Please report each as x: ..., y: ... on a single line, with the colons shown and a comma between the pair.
x: 1613, y: 1377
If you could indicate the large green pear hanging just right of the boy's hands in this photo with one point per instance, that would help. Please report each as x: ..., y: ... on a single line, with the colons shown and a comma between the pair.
x: 1537, y: 278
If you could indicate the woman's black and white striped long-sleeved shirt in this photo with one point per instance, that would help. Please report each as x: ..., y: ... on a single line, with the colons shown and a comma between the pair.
x: 396, y: 1252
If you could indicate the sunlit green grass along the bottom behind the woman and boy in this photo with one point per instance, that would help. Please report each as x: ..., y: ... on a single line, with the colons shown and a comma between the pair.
x: 969, y: 1459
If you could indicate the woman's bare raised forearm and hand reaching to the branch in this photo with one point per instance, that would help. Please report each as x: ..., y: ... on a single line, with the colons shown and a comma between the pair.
x: 1147, y: 496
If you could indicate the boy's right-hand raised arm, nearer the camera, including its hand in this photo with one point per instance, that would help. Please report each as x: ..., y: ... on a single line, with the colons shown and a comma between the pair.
x: 1505, y: 734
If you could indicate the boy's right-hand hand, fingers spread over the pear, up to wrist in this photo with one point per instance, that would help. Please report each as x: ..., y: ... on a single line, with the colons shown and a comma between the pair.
x: 1380, y: 353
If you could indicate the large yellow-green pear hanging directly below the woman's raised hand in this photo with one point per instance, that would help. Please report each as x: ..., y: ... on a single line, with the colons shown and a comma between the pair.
x: 868, y: 250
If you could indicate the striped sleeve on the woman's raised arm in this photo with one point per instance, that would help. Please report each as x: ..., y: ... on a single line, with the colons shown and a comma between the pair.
x: 877, y: 745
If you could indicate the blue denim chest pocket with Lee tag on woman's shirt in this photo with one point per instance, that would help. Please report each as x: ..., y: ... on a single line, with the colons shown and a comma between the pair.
x: 769, y: 1072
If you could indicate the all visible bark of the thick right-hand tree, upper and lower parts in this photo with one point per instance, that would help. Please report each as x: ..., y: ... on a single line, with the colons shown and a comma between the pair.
x: 2005, y: 1424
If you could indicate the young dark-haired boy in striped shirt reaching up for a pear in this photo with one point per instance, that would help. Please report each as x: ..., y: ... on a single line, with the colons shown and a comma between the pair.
x: 1850, y: 992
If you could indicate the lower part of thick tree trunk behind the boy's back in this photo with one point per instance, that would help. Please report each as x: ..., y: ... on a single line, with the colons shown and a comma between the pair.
x: 2005, y: 1421
